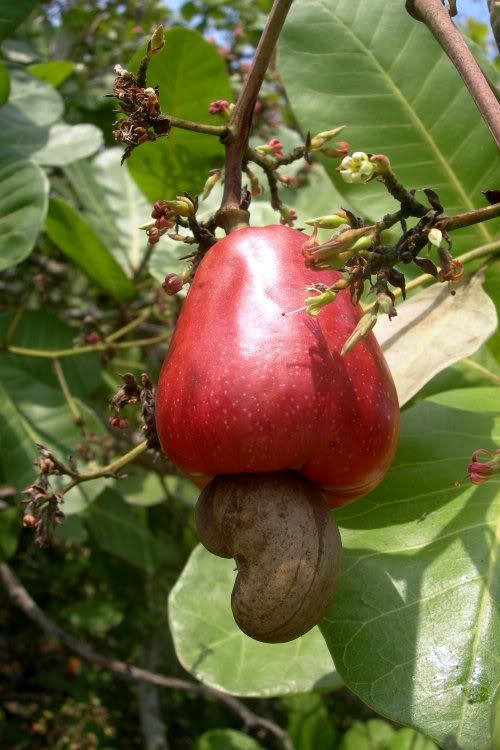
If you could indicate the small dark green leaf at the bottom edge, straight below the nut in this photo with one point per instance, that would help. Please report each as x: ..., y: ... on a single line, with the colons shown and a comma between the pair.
x: 308, y: 724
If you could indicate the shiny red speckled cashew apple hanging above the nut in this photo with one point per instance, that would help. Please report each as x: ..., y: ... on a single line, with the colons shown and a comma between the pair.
x: 245, y: 389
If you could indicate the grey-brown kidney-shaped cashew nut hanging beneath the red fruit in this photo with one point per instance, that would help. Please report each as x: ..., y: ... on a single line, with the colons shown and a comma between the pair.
x: 286, y: 545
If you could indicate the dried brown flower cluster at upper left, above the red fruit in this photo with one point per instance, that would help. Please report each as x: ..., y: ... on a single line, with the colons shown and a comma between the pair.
x: 143, y: 120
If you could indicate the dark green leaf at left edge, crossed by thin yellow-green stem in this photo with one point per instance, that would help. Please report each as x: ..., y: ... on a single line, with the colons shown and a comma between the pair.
x: 41, y: 329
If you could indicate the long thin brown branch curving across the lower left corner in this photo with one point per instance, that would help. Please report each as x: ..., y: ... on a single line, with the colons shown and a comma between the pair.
x: 22, y: 599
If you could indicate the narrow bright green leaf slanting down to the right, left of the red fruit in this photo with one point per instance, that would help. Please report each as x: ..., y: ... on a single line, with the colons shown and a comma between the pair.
x: 75, y: 238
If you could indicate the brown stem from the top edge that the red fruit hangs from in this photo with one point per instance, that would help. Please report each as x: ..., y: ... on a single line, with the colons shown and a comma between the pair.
x: 230, y: 215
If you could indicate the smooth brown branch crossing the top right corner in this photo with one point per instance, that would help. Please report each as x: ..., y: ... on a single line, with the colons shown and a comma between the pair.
x: 437, y: 19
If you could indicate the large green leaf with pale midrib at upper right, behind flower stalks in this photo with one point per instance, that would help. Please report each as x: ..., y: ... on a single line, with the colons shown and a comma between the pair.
x: 356, y: 64
